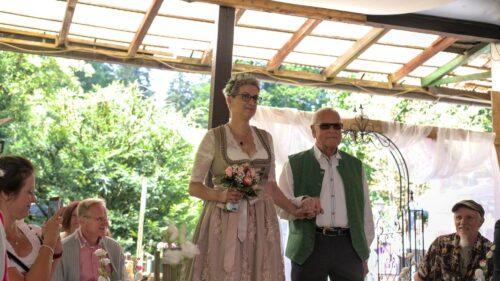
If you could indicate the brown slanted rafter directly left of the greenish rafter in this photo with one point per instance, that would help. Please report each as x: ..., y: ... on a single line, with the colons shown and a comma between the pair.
x: 437, y: 46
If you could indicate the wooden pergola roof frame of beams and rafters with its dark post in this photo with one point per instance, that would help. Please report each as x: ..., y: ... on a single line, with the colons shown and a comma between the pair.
x: 217, y: 59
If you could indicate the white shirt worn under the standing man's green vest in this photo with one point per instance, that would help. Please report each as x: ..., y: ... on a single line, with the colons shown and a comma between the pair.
x: 332, y: 196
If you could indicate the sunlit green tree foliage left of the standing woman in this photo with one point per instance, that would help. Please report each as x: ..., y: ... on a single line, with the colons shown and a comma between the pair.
x: 107, y: 143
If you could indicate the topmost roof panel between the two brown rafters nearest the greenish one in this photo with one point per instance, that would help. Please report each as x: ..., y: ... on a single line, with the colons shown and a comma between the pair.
x: 408, y: 38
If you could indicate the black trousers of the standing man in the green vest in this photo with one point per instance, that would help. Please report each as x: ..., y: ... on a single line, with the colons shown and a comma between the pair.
x: 332, y: 256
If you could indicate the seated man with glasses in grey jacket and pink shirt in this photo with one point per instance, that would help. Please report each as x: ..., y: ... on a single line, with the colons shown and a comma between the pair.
x: 88, y: 249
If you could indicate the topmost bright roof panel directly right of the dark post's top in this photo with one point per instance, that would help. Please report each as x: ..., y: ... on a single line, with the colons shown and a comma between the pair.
x: 269, y: 20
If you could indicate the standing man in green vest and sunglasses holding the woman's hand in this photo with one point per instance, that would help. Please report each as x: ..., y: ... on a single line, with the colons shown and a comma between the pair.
x: 334, y: 241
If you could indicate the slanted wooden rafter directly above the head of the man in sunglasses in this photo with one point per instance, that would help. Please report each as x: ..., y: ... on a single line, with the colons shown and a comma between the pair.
x: 355, y: 51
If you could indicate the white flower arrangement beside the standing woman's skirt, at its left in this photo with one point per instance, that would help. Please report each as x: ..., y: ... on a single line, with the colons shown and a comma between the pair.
x: 176, y: 248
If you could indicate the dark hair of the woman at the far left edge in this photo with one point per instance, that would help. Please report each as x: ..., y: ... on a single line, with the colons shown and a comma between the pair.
x: 14, y: 170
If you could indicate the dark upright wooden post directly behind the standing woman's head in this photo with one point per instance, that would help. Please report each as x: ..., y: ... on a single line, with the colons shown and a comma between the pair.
x: 221, y: 69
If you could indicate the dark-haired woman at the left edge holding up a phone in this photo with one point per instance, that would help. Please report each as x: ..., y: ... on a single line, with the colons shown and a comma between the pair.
x: 32, y: 251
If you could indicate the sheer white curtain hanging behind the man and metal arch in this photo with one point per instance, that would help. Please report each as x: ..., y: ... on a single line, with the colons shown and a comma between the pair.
x: 457, y: 165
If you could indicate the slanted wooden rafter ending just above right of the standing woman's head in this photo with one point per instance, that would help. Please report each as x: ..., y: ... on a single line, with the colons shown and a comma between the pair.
x: 306, y: 29
